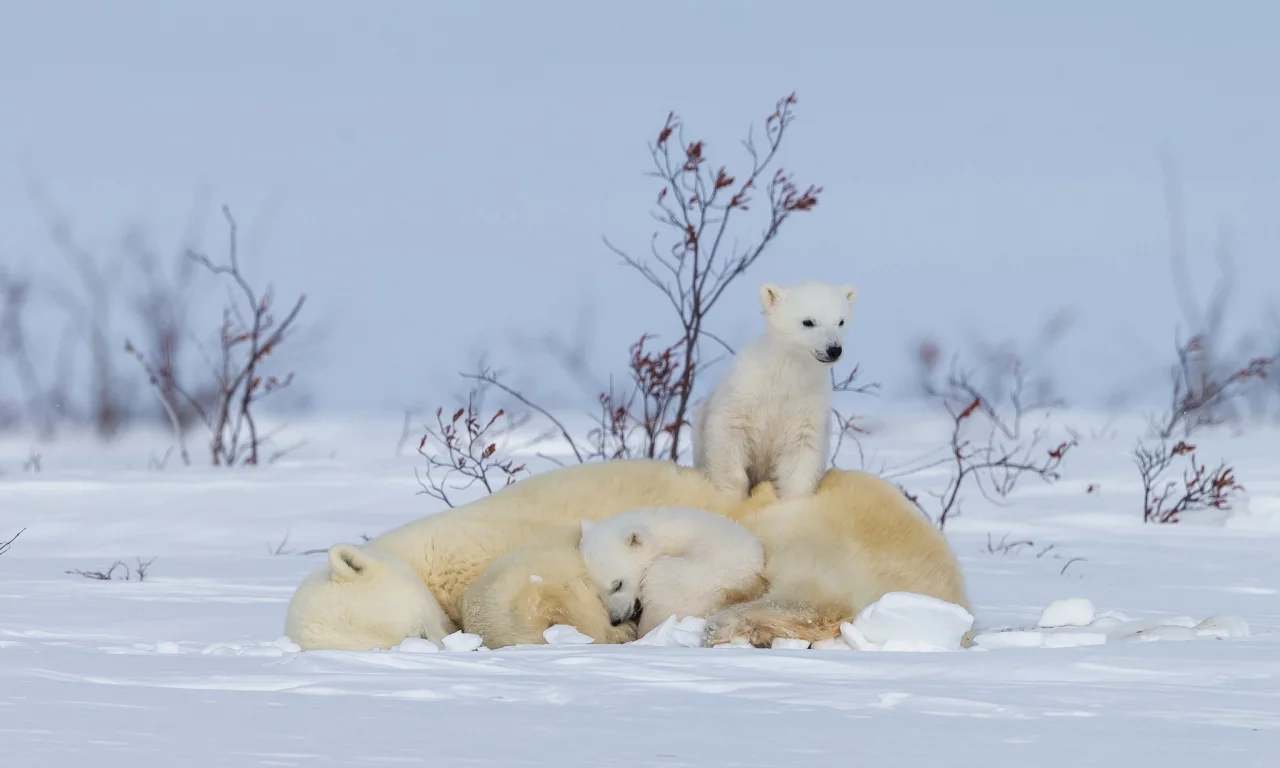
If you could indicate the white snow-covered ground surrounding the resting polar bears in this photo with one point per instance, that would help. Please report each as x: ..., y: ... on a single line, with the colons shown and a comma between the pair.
x: 185, y: 669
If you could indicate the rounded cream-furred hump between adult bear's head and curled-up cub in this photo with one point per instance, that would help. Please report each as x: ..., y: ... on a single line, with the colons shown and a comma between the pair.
x: 536, y: 588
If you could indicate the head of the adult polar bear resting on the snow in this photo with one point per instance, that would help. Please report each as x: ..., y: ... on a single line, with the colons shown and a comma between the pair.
x: 364, y: 600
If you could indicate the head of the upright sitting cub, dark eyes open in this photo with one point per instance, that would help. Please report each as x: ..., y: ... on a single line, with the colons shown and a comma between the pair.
x: 810, y: 316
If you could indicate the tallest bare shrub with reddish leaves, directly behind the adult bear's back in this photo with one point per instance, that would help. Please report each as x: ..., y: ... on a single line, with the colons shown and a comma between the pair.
x: 698, y: 253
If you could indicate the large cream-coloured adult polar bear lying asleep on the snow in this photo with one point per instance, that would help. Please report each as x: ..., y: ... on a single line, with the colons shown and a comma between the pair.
x: 829, y: 555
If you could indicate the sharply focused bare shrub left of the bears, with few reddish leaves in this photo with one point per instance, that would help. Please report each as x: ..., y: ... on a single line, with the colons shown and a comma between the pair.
x: 250, y: 333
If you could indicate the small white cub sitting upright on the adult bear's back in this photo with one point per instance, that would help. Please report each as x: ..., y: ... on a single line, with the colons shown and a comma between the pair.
x: 770, y: 415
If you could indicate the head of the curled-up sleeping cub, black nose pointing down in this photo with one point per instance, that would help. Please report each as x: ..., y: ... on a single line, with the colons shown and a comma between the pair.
x: 618, y: 555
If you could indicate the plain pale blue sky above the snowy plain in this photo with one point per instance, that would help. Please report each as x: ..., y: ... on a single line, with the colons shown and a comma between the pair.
x: 437, y: 177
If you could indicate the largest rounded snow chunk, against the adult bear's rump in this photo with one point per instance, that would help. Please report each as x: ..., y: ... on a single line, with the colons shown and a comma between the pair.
x: 913, y: 619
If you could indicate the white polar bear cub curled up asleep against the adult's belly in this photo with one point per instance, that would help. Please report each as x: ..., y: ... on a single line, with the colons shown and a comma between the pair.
x: 655, y: 563
